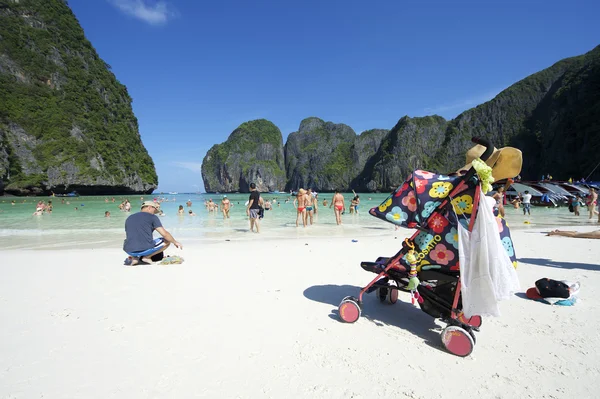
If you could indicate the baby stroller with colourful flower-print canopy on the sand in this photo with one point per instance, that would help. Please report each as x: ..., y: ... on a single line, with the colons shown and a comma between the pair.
x: 433, y: 204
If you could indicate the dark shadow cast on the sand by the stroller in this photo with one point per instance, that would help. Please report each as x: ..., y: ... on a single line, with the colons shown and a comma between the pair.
x: 403, y: 315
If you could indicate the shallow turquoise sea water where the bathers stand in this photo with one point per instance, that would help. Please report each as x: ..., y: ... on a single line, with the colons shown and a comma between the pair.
x: 87, y: 227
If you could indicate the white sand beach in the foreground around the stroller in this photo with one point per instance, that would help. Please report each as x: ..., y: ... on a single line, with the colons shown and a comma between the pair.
x: 257, y: 319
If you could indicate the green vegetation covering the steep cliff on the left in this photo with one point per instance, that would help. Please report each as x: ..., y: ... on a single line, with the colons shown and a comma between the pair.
x: 56, y: 88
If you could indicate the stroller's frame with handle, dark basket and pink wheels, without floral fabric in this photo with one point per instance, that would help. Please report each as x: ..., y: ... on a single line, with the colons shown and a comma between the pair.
x: 458, y: 337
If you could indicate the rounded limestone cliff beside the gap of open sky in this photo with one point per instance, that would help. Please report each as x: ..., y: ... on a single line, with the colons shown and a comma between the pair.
x: 253, y: 153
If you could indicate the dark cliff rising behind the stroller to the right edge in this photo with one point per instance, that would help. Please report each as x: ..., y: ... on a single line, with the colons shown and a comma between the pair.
x: 553, y: 116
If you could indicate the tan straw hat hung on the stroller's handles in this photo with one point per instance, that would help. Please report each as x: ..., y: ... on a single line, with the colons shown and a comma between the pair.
x: 505, y: 162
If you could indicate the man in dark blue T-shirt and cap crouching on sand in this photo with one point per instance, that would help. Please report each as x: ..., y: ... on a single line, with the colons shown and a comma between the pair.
x: 139, y: 228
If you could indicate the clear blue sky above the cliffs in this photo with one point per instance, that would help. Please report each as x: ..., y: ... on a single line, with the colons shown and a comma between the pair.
x: 198, y: 69
